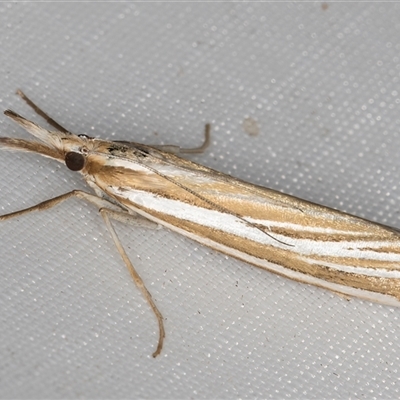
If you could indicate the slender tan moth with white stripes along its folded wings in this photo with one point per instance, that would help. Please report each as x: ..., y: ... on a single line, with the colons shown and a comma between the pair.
x: 153, y: 186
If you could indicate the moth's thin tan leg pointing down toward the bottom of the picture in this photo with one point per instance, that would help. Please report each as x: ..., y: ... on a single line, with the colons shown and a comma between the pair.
x: 106, y: 214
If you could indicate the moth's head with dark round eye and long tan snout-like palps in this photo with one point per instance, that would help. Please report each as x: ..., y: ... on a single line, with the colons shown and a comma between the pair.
x: 65, y: 147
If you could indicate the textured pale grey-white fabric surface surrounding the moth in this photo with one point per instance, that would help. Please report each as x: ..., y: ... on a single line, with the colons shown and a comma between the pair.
x: 322, y: 82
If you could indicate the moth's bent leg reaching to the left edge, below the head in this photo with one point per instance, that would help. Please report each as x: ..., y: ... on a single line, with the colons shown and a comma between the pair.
x: 45, y: 205
